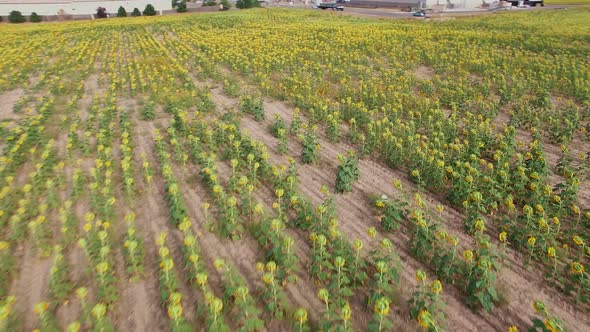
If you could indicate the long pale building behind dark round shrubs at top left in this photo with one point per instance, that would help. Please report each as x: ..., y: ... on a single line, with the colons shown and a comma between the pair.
x: 77, y: 8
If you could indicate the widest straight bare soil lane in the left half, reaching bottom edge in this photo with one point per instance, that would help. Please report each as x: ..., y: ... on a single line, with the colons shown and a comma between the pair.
x: 140, y: 307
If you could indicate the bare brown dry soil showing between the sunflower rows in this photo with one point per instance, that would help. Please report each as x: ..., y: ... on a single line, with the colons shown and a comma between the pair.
x: 138, y: 308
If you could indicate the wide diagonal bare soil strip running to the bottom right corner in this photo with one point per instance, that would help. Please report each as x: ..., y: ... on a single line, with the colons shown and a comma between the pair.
x: 518, y: 309
